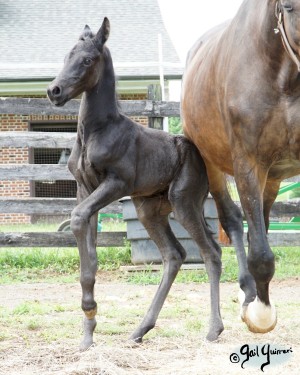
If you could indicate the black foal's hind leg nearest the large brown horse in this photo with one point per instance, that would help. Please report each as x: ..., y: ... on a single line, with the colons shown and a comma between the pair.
x: 187, y: 196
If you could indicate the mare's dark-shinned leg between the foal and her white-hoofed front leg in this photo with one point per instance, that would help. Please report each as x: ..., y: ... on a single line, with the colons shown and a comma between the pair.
x: 231, y: 219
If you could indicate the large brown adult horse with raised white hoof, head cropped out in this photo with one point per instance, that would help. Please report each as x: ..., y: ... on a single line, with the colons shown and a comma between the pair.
x: 240, y: 106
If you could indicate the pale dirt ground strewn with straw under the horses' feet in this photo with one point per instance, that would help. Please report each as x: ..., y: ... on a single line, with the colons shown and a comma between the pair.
x: 161, y: 353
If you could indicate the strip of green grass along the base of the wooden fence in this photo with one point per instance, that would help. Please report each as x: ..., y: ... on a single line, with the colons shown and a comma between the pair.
x: 62, y: 265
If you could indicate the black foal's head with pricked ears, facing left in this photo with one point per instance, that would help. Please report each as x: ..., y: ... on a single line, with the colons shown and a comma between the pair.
x: 83, y: 66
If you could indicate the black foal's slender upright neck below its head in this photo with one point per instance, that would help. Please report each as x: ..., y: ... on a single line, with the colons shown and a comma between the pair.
x: 99, y: 106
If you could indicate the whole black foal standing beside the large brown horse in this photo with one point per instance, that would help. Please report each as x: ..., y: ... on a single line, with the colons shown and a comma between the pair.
x: 114, y: 157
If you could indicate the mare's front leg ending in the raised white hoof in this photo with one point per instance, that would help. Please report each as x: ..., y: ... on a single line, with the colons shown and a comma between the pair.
x: 260, y: 315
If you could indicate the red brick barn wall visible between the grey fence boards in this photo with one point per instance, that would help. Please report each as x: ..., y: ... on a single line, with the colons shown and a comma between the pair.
x: 21, y: 155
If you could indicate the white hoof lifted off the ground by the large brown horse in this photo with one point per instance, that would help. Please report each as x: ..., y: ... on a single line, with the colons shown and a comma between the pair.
x: 259, y: 317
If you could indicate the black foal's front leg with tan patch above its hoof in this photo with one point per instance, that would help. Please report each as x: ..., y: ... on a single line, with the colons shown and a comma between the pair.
x: 84, y: 227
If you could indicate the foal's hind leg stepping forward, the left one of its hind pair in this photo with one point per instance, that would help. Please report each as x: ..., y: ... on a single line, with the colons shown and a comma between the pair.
x: 153, y: 213
